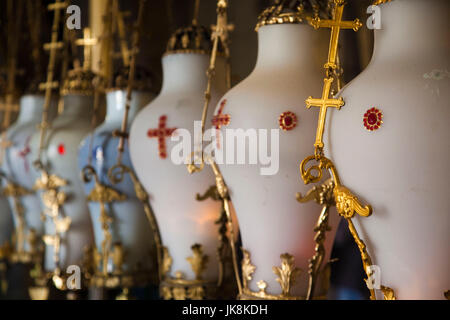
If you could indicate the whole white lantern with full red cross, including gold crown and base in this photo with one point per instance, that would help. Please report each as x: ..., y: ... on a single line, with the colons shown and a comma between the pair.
x: 188, y: 226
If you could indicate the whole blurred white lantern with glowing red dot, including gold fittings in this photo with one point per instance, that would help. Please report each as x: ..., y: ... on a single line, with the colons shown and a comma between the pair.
x: 68, y: 226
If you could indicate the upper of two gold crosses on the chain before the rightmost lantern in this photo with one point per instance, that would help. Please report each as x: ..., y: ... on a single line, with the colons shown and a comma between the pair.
x: 336, y: 24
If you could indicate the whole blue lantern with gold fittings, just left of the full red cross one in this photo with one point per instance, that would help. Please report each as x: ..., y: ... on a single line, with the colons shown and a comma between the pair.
x: 124, y: 245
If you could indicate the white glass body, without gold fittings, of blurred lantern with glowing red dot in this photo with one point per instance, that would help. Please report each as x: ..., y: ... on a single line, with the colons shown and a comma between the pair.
x: 60, y: 157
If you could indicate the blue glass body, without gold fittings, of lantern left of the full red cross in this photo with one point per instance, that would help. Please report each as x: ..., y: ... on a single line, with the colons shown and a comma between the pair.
x: 129, y: 226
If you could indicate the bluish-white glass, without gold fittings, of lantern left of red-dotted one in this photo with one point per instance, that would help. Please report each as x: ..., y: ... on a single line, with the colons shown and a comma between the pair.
x: 18, y: 163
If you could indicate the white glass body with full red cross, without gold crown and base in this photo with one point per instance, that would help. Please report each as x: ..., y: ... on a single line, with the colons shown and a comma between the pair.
x: 183, y: 221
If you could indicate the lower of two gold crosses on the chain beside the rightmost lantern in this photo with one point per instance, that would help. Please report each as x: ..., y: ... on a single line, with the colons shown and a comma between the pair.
x: 324, y: 103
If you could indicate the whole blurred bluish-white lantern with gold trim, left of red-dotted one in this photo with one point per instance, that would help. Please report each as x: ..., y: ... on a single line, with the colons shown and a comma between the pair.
x: 19, y: 176
